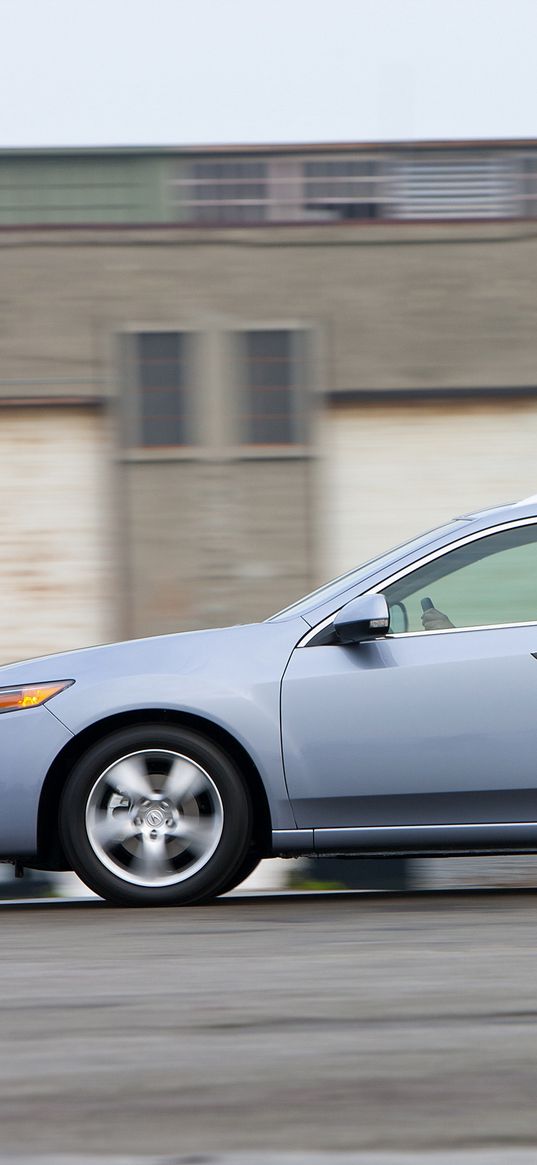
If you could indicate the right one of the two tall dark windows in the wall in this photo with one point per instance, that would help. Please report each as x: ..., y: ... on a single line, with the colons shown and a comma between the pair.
x: 274, y: 396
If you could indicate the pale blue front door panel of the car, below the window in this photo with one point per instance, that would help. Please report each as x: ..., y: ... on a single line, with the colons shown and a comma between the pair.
x: 437, y: 730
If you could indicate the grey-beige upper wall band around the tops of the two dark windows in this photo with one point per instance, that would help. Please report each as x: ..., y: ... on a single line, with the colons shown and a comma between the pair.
x: 397, y: 307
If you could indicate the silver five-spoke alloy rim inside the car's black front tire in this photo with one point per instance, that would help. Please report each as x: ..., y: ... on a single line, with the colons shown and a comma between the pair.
x: 154, y: 818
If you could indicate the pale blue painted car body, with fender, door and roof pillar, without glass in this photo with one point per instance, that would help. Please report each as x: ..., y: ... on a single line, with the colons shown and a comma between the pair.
x: 390, y: 745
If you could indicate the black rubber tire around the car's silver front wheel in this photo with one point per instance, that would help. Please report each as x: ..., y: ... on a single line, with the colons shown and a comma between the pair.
x: 231, y: 850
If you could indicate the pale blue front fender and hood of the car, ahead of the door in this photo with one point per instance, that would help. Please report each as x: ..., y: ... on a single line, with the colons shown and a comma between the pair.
x: 230, y: 676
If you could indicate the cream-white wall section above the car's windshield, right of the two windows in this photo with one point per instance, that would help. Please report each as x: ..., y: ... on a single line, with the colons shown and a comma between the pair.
x: 392, y: 471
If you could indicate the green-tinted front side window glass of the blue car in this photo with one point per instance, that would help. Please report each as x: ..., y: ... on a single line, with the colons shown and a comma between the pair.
x: 487, y: 582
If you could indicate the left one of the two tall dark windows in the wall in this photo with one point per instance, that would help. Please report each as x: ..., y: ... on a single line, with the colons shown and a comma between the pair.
x: 165, y: 392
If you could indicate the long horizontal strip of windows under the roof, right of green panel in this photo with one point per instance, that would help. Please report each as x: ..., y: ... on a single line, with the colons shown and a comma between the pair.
x: 442, y: 185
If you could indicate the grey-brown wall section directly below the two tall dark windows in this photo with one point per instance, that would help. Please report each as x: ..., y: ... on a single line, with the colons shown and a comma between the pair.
x: 215, y: 543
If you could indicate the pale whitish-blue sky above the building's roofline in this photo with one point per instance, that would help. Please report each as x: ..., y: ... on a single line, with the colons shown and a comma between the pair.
x: 83, y: 73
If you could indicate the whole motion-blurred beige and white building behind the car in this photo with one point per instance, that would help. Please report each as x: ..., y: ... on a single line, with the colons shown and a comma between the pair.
x: 228, y: 375
